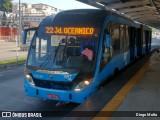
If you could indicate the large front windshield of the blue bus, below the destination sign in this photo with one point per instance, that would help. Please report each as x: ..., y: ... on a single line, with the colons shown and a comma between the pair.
x: 63, y: 52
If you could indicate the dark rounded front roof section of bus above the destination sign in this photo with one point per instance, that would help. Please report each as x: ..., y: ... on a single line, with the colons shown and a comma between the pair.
x: 83, y: 17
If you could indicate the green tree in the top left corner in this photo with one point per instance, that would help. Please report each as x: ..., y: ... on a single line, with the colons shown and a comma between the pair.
x: 6, y: 5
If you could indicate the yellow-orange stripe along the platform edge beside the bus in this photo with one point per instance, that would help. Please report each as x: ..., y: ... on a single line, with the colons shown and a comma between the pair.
x: 120, y: 96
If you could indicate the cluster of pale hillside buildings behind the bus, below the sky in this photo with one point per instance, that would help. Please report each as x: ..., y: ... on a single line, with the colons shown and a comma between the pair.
x: 33, y: 14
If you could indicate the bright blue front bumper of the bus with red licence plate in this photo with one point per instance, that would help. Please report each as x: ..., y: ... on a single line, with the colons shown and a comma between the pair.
x: 59, y: 95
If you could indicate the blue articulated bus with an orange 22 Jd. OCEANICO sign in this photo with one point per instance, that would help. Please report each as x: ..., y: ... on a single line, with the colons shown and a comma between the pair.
x: 57, y: 70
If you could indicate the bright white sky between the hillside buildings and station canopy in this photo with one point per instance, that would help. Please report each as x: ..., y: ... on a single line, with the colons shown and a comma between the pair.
x: 60, y: 4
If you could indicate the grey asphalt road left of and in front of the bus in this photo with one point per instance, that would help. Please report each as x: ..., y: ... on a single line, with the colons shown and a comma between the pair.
x: 12, y: 97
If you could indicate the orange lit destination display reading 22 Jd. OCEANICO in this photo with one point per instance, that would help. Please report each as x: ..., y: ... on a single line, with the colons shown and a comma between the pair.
x: 70, y: 30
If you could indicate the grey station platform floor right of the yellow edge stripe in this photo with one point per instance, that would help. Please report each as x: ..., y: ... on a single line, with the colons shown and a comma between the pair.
x: 145, y: 96
